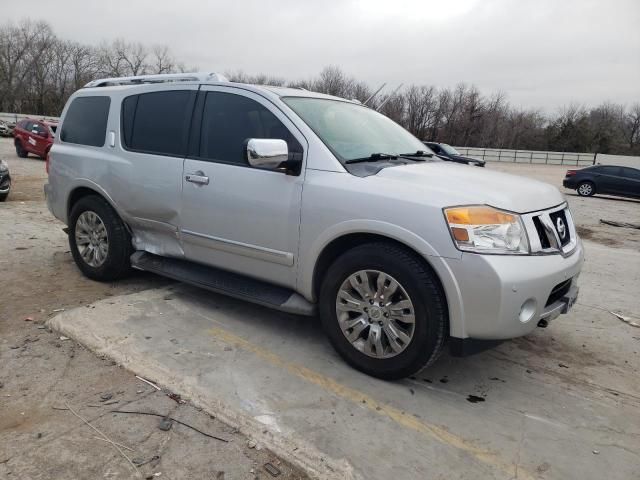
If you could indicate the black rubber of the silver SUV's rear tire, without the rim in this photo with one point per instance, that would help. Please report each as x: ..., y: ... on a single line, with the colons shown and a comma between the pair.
x: 117, y: 264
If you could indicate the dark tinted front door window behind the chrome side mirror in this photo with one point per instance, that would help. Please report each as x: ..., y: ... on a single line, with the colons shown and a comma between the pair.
x: 229, y: 120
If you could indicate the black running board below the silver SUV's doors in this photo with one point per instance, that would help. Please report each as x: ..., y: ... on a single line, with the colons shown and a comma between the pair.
x: 226, y: 283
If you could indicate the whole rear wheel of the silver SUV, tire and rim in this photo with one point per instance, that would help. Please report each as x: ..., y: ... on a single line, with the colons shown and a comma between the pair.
x: 92, y: 223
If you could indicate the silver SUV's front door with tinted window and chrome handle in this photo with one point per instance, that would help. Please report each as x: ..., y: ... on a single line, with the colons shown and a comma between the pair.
x: 237, y: 217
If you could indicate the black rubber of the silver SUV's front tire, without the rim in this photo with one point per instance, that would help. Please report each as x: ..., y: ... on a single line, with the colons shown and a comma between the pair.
x: 422, y: 287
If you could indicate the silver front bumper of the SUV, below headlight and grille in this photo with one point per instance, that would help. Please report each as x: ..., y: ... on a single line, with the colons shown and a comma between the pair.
x: 506, y: 296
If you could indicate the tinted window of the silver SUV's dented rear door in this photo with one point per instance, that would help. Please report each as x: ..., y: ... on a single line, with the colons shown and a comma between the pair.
x: 157, y: 122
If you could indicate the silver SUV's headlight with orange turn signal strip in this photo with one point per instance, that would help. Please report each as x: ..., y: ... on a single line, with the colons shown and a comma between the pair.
x: 483, y: 229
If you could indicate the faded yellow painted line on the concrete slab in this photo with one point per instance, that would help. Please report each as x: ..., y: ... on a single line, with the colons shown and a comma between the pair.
x: 408, y: 421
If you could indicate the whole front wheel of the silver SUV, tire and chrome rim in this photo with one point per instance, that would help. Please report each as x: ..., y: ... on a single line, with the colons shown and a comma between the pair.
x: 417, y: 282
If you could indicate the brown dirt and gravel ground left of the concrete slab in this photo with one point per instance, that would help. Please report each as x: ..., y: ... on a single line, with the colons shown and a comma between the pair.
x: 42, y: 374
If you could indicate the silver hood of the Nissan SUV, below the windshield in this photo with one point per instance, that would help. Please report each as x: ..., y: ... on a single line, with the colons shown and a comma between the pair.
x: 449, y: 184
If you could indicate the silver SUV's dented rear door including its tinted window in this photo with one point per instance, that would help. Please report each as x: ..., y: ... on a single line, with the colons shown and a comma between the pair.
x: 147, y: 176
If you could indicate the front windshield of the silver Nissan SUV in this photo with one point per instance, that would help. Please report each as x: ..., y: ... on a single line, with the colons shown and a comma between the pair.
x: 353, y: 131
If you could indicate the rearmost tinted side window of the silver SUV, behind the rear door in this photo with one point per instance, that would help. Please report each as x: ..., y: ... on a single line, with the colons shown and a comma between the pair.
x: 86, y: 121
